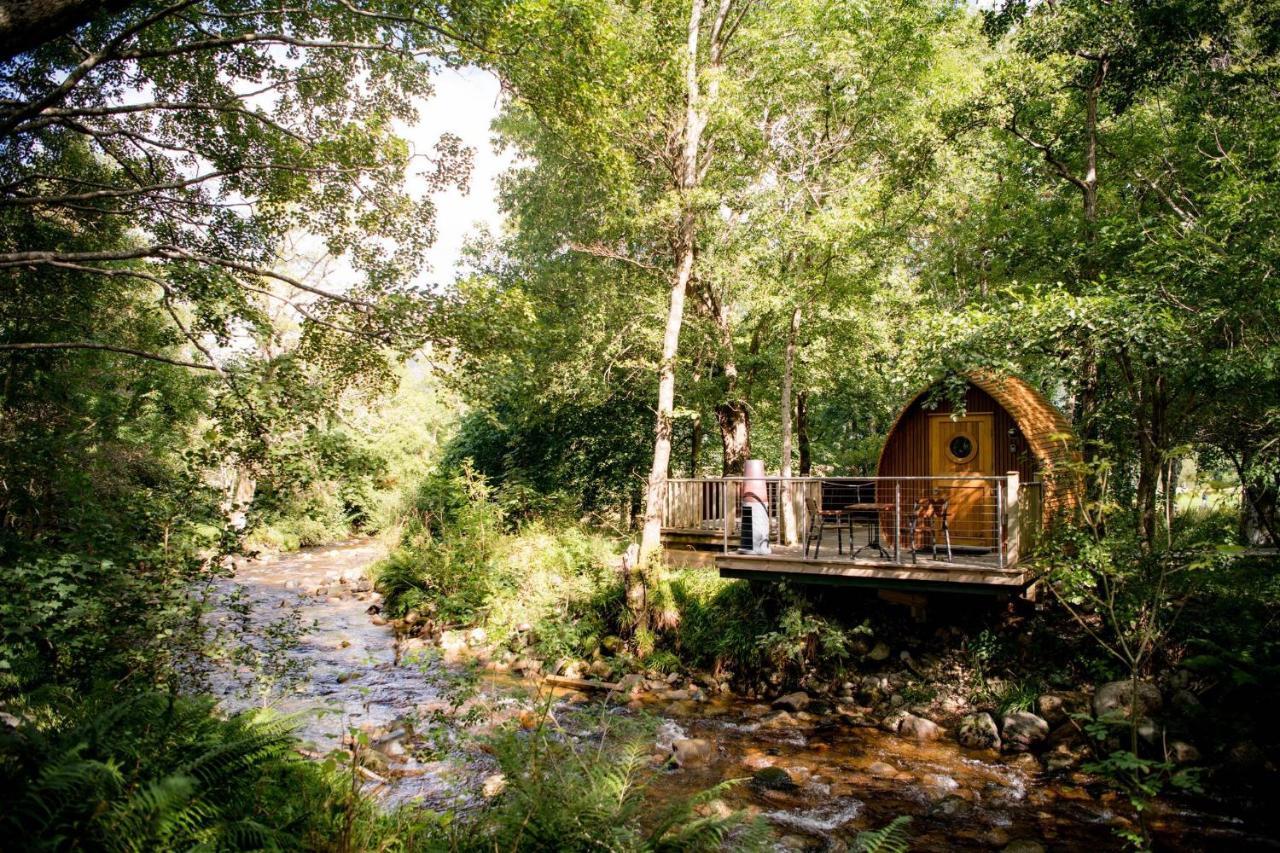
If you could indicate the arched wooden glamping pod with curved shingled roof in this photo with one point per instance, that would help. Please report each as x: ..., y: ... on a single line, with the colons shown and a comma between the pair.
x: 1005, y: 427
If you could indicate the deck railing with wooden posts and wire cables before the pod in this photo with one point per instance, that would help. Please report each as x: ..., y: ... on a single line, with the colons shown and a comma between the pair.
x: 885, y: 518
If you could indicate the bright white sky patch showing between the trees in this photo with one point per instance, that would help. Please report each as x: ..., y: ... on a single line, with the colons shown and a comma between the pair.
x: 465, y: 104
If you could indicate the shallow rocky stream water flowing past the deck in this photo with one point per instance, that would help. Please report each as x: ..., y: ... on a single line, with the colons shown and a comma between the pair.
x: 345, y: 673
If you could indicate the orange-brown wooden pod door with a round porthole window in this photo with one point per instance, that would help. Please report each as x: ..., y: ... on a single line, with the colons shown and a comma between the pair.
x: 959, y: 449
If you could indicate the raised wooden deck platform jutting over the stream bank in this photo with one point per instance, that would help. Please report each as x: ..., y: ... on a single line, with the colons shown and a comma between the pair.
x: 967, y: 573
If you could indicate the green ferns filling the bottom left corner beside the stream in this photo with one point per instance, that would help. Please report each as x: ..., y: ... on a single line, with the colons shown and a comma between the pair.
x: 157, y: 772
